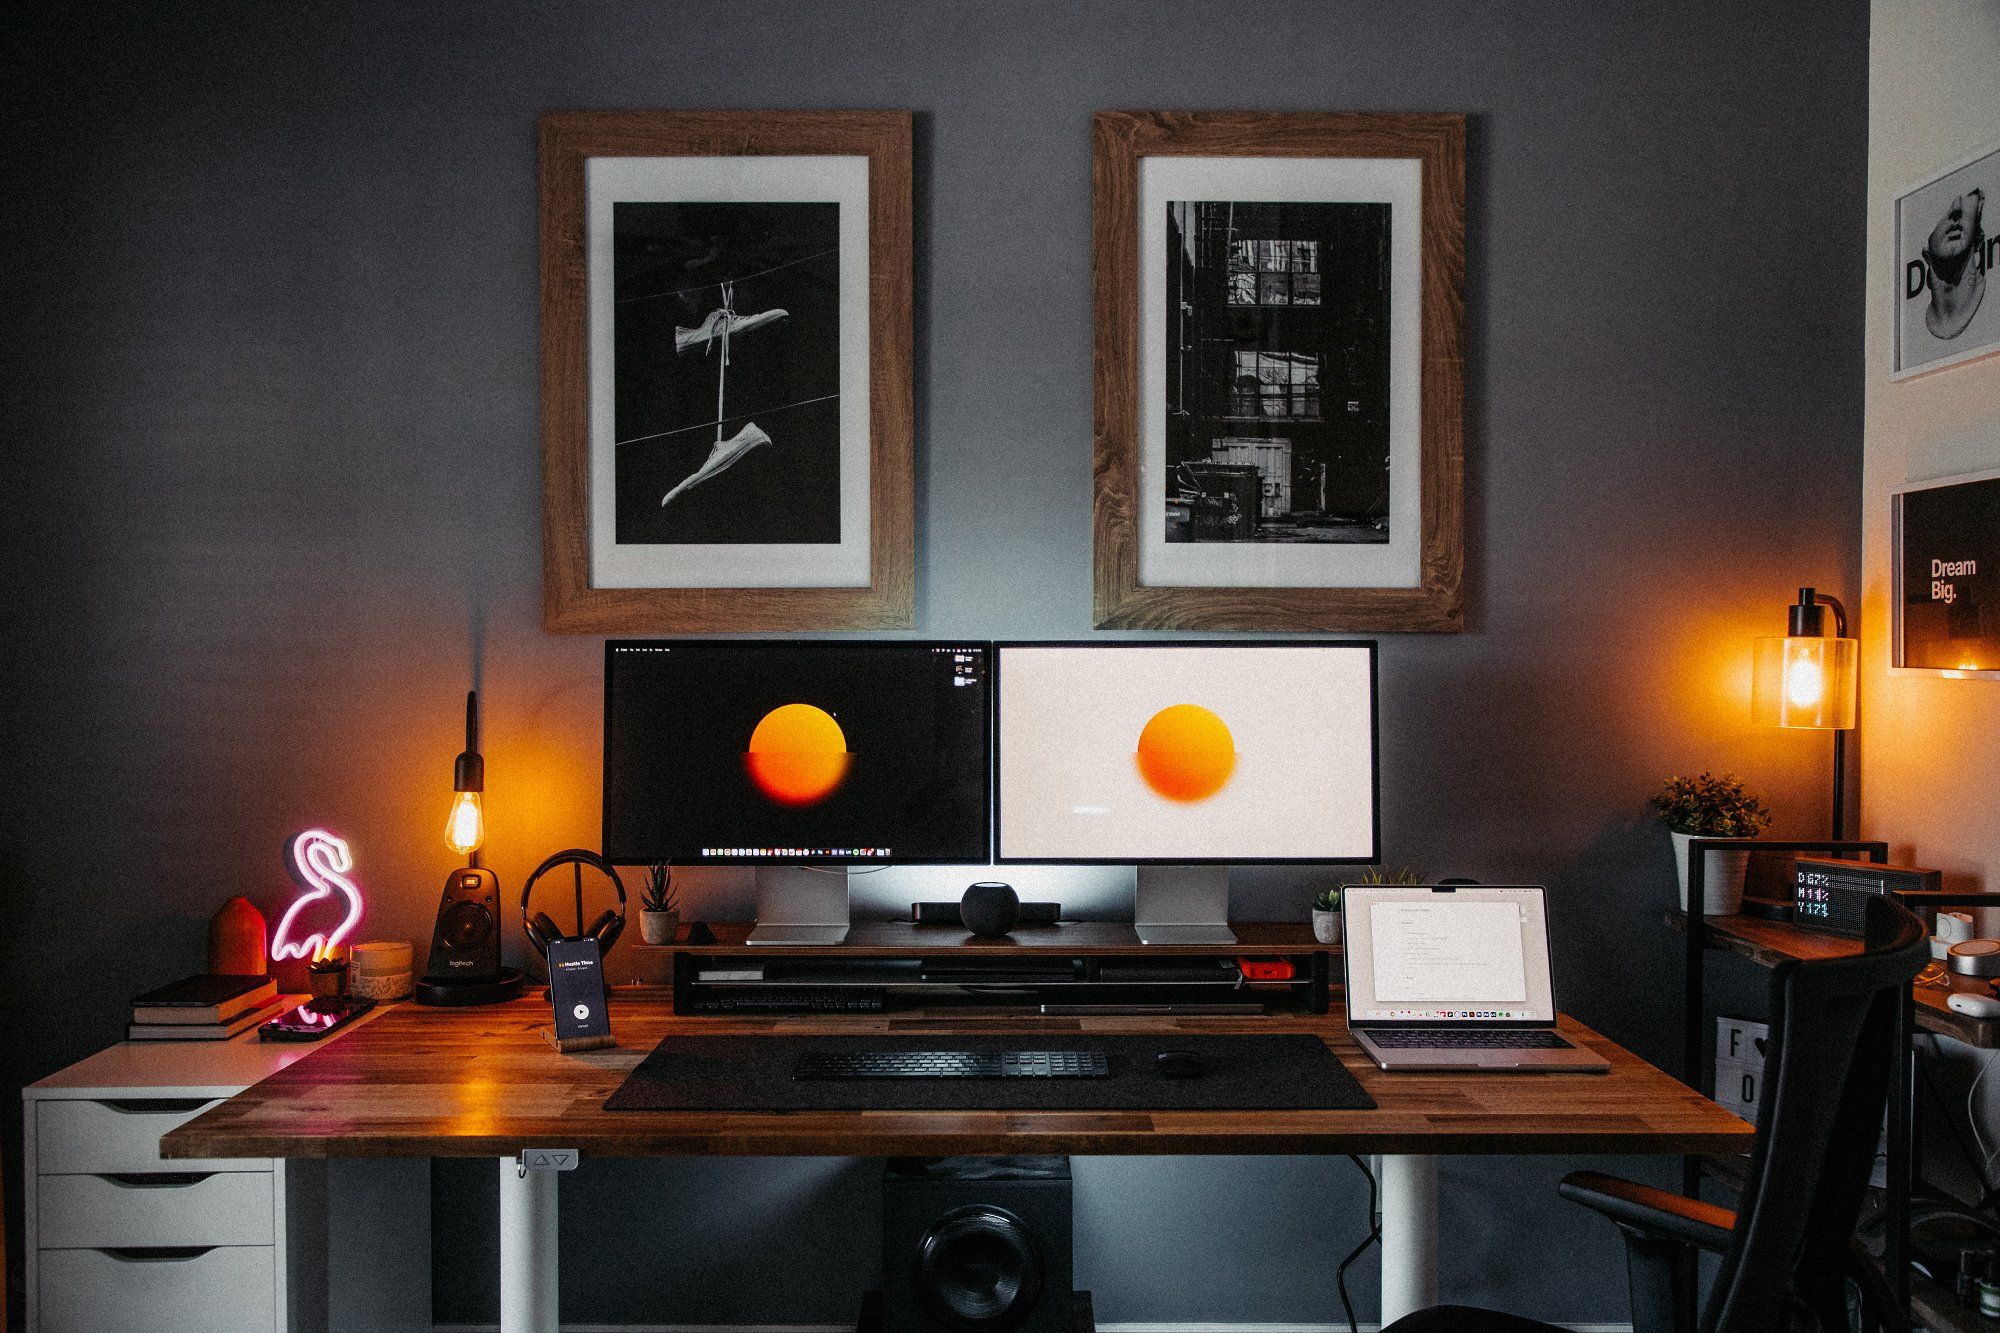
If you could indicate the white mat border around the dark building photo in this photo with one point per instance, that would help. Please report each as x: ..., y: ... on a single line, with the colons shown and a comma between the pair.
x: 1397, y: 563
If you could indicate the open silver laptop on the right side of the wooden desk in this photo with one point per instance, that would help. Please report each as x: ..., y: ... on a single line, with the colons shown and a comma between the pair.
x: 1455, y: 978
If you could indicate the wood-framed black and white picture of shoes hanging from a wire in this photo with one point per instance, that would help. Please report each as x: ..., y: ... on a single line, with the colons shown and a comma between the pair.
x: 727, y: 401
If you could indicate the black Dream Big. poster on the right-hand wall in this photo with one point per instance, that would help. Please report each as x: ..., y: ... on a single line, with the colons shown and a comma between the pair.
x: 1947, y: 571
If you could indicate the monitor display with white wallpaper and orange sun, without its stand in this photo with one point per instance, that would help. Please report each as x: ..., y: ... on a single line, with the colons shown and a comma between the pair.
x: 1187, y: 754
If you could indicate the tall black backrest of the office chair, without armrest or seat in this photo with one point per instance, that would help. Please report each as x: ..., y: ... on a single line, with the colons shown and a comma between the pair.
x: 1827, y: 1074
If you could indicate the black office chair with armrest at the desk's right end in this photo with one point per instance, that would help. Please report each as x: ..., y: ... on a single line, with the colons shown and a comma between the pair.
x: 1787, y: 1250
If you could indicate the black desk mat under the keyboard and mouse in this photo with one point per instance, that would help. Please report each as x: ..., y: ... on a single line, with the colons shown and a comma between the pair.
x: 1275, y: 1072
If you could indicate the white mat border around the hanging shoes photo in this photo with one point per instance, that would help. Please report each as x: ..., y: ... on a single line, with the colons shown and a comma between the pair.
x: 731, y: 181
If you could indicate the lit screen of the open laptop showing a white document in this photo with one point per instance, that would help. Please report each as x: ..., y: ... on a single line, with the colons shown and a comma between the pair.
x: 1447, y: 956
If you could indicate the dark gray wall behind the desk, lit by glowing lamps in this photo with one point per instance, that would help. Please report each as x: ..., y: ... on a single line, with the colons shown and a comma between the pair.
x: 273, y: 495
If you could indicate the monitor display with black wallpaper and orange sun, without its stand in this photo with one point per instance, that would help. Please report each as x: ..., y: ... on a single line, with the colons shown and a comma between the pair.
x: 789, y: 754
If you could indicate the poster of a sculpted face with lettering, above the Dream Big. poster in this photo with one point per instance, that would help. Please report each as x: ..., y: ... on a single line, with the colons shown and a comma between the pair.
x: 1945, y: 257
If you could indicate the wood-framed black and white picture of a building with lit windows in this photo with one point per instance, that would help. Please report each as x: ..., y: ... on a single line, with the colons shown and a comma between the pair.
x: 1279, y: 371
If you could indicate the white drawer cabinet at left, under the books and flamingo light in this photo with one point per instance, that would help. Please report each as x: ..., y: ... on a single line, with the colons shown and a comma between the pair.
x: 123, y: 1240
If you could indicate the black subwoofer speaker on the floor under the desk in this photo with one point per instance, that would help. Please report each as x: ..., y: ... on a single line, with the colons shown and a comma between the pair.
x: 977, y: 1244
